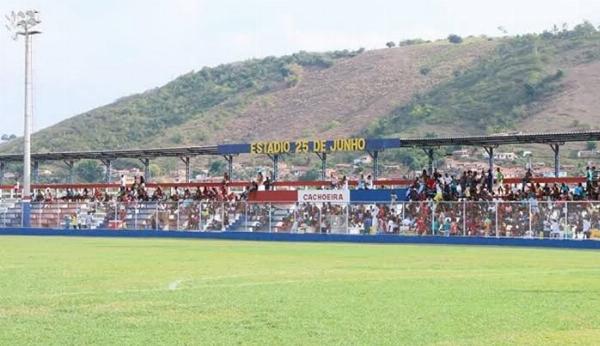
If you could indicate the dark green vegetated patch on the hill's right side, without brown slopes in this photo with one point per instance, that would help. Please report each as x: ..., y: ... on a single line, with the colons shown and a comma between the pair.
x: 500, y: 91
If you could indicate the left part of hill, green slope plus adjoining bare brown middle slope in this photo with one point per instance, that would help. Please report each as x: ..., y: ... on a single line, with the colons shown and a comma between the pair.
x: 333, y: 94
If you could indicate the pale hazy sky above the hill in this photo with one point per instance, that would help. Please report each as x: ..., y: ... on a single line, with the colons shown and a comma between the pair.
x: 93, y: 52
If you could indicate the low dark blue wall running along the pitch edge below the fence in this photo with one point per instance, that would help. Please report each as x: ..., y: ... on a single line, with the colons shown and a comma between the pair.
x: 374, y: 239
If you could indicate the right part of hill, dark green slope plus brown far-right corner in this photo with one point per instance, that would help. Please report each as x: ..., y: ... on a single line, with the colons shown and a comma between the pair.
x: 526, y: 82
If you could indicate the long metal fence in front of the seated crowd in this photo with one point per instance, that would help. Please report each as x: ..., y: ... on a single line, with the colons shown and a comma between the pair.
x: 524, y: 219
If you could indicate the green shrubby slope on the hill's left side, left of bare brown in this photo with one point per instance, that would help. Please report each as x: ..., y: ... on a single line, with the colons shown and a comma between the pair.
x: 137, y: 120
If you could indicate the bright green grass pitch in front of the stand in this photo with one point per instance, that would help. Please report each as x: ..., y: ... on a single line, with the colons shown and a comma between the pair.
x: 162, y: 291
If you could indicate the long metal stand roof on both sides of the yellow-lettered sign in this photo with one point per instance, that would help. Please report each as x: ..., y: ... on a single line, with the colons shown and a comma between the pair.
x: 482, y: 141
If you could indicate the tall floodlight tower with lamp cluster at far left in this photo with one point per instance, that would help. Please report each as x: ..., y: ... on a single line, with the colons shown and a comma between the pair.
x: 21, y: 24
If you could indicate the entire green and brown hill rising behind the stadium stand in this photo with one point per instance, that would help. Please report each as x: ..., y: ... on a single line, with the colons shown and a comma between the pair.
x: 534, y: 82
